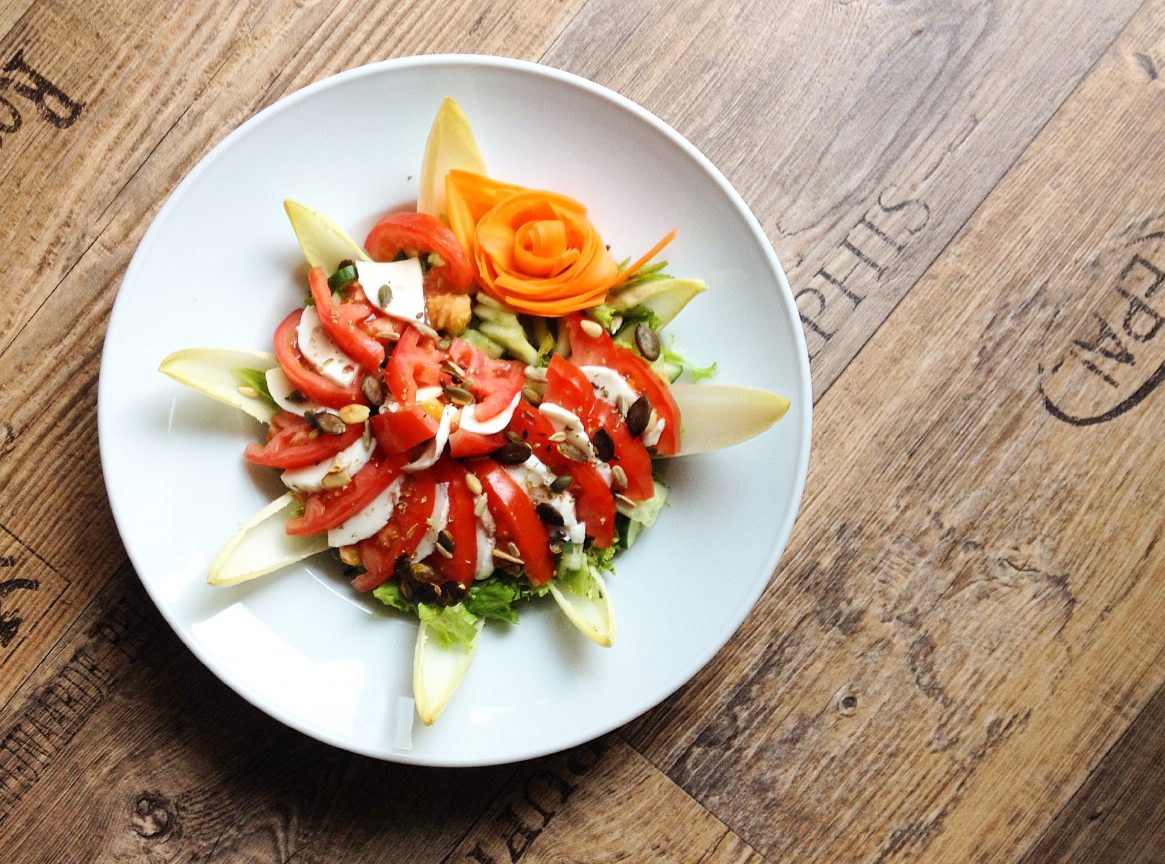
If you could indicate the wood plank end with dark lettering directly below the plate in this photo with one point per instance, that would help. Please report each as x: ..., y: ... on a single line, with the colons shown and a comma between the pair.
x: 560, y: 809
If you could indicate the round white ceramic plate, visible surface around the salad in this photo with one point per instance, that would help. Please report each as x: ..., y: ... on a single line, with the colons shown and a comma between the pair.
x: 221, y: 267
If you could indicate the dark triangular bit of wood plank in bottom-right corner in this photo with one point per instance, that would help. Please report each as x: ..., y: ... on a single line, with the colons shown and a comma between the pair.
x: 1119, y: 815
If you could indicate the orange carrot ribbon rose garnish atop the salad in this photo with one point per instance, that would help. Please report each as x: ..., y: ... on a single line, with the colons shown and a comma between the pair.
x: 534, y: 251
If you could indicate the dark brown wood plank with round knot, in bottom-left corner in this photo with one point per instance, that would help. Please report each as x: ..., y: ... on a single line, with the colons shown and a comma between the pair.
x: 203, y: 776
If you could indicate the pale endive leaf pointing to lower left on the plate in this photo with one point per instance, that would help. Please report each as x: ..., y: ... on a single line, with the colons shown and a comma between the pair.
x: 263, y: 546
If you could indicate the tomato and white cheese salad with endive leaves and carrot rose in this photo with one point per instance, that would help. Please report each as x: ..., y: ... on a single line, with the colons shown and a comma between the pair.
x: 469, y: 409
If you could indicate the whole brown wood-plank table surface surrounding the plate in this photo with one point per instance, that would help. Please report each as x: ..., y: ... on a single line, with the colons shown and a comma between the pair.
x: 961, y: 655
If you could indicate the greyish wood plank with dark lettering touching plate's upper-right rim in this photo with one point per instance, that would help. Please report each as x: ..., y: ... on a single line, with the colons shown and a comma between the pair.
x: 862, y: 134
